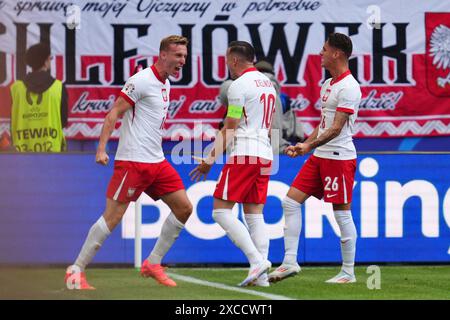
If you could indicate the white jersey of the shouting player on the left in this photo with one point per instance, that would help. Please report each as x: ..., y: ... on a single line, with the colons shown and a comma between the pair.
x: 142, y: 126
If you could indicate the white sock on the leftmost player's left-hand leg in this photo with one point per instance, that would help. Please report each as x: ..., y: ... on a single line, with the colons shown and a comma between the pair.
x: 94, y: 240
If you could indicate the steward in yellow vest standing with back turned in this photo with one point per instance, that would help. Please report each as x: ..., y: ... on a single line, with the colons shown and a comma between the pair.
x: 39, y: 106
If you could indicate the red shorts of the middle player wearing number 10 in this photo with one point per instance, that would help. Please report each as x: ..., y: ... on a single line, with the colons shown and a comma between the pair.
x: 244, y: 179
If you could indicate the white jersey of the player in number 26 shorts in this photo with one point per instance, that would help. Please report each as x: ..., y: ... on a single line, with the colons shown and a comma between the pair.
x: 343, y: 95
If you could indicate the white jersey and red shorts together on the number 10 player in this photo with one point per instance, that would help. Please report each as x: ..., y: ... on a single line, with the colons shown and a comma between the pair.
x: 245, y: 177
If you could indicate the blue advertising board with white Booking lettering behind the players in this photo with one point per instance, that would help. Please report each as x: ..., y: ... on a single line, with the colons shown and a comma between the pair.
x: 401, y: 208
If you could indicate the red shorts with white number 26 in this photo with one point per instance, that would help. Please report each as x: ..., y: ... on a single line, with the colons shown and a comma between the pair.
x: 327, y: 178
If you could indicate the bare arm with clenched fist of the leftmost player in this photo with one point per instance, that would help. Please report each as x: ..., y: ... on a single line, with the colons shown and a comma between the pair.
x: 118, y: 109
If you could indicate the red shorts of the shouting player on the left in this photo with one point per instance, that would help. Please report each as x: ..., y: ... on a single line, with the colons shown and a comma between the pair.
x: 130, y: 179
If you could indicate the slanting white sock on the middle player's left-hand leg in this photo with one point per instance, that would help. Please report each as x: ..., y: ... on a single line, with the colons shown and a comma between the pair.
x: 238, y: 233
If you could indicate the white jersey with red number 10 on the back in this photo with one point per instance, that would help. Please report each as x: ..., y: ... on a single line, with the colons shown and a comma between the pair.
x: 255, y: 93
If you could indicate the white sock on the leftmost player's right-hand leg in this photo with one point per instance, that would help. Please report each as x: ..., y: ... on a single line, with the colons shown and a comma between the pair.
x: 169, y: 233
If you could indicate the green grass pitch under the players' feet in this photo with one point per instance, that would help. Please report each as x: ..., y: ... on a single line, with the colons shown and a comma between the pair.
x: 397, y: 282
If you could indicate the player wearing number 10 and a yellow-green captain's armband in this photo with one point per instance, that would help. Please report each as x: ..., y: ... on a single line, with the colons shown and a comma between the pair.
x: 245, y: 176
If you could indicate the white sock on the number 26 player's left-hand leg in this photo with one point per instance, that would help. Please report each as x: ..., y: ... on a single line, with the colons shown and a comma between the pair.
x: 292, y: 228
